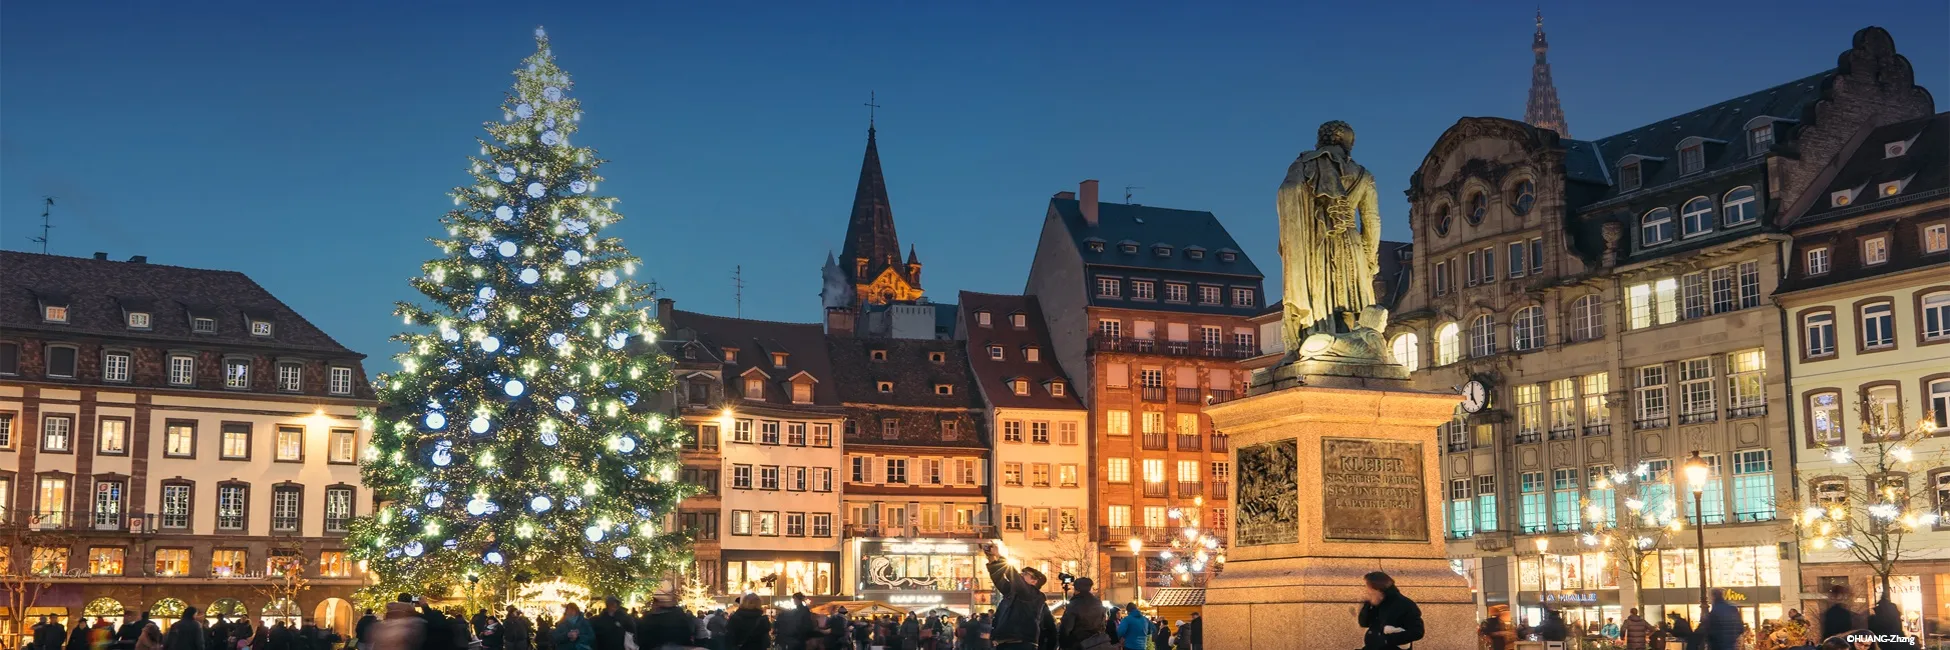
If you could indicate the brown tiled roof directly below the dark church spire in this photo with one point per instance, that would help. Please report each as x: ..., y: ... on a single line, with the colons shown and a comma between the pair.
x: 859, y: 376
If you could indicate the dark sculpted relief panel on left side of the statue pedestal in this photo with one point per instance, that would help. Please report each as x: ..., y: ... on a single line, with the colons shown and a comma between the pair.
x: 1268, y: 495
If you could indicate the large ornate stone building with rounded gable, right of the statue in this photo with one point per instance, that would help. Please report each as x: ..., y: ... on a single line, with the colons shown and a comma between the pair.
x: 1612, y: 298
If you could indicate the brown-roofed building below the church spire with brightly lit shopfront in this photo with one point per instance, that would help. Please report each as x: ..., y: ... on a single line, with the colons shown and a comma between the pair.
x: 917, y: 473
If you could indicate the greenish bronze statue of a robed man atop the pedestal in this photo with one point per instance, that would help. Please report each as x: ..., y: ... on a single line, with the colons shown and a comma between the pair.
x: 1329, y: 239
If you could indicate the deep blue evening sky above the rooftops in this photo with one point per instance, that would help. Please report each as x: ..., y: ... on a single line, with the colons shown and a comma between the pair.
x: 313, y: 147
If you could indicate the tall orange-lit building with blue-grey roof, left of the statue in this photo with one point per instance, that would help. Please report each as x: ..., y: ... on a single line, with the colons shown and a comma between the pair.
x: 1150, y: 315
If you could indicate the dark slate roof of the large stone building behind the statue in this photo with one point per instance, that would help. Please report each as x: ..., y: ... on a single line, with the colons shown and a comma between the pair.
x: 1723, y: 126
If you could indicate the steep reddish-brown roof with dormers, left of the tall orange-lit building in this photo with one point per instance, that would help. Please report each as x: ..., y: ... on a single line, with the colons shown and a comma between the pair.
x: 995, y: 376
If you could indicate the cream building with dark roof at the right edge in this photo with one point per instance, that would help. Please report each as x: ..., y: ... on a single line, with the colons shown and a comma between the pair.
x: 1867, y: 300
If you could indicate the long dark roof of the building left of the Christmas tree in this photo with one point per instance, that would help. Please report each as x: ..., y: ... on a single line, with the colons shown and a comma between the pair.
x: 98, y: 292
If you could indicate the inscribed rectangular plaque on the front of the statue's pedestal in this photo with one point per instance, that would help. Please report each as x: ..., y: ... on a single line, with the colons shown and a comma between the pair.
x: 1372, y: 491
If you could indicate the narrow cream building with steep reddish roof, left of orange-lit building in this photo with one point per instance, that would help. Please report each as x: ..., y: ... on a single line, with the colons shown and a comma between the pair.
x: 1042, y: 462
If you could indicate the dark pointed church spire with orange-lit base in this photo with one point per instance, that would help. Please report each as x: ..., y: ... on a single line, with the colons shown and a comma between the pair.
x: 873, y: 251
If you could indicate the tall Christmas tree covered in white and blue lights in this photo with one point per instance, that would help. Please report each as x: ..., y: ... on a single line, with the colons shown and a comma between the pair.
x: 516, y: 442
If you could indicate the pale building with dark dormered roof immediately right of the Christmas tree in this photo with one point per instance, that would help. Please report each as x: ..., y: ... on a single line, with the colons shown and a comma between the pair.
x: 765, y: 409
